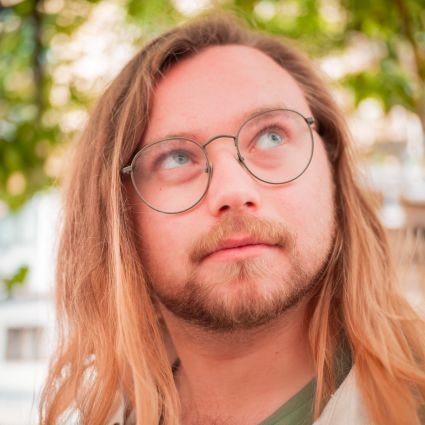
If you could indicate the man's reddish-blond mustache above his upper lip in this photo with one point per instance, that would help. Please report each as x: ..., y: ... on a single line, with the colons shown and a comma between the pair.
x: 259, y: 229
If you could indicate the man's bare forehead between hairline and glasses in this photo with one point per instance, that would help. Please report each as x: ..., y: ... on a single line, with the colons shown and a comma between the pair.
x: 215, y: 89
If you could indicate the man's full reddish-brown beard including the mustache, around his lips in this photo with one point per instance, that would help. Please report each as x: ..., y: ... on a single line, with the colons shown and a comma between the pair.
x: 245, y: 294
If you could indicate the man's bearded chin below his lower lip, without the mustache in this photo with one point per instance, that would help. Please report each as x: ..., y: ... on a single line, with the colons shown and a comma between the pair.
x: 243, y: 302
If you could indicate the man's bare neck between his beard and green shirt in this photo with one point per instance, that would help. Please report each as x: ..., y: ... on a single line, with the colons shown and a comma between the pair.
x: 252, y: 372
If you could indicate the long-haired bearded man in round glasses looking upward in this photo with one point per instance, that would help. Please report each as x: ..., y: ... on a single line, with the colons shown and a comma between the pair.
x: 218, y: 262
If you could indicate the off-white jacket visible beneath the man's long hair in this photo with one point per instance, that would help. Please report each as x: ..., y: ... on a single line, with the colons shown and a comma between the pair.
x: 344, y: 408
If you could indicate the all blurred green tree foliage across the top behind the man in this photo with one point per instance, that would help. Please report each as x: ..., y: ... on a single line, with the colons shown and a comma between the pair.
x: 36, y: 97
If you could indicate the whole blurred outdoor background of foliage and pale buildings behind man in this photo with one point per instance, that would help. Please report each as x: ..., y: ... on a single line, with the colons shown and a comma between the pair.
x: 57, y: 56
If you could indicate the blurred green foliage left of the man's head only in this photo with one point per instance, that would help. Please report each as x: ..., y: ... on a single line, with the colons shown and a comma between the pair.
x: 28, y: 134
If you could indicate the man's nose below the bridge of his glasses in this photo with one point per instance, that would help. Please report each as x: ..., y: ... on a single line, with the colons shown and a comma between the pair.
x: 232, y: 188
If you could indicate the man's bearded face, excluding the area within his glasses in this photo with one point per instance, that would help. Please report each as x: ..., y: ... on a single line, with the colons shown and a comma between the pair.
x: 249, y: 250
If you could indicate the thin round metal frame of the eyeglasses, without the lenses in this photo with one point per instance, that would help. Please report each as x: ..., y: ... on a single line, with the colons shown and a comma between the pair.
x: 128, y: 170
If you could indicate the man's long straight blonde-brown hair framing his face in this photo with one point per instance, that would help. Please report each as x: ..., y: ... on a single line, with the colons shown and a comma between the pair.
x: 110, y: 341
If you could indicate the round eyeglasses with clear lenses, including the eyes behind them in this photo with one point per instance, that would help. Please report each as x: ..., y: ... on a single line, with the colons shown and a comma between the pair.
x: 172, y: 175
